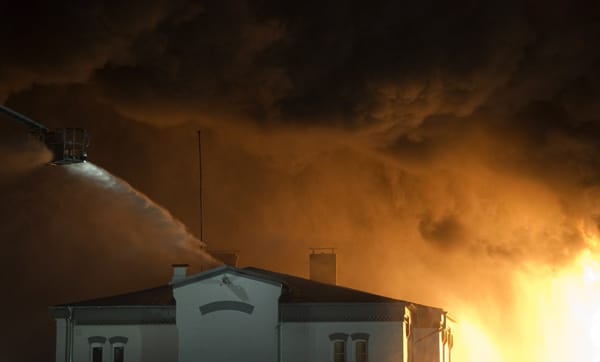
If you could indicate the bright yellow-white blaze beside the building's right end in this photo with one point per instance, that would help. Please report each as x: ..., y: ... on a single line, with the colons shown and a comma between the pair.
x: 555, y: 316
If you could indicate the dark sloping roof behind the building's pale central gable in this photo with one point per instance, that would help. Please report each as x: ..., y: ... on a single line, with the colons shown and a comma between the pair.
x: 296, y: 290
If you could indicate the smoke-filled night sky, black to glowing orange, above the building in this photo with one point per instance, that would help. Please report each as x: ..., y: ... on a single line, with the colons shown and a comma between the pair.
x: 439, y: 146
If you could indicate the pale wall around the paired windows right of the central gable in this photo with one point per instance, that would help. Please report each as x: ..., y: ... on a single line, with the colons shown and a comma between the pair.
x: 312, y: 341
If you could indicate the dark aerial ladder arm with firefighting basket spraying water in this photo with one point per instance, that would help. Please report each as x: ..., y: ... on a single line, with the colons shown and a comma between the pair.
x: 68, y: 145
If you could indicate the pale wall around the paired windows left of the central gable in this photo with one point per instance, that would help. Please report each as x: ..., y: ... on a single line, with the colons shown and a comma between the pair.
x: 145, y: 343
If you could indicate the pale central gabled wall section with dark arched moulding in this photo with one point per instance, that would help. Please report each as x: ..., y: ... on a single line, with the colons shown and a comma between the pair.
x: 209, y: 330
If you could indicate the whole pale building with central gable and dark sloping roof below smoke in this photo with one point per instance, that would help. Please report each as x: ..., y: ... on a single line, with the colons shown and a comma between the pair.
x: 232, y: 314
